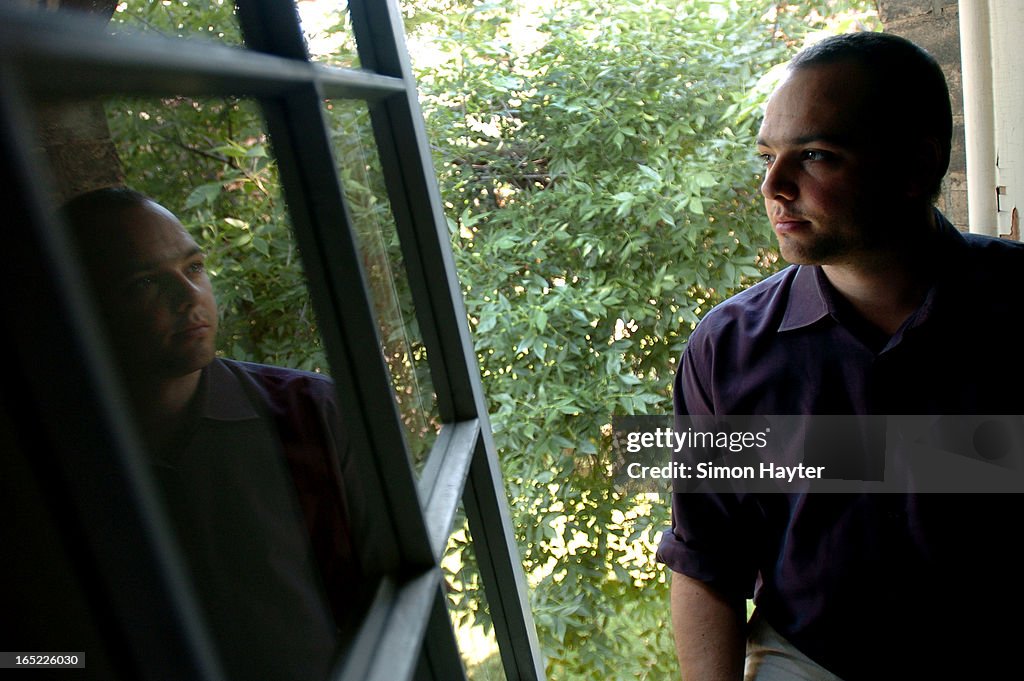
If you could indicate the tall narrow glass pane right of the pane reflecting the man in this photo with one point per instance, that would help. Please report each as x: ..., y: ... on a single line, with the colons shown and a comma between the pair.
x: 403, y: 345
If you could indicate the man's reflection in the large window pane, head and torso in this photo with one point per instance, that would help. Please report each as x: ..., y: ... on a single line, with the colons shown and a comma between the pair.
x: 242, y: 453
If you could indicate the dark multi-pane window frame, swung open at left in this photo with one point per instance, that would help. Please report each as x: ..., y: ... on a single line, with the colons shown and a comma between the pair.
x: 407, y: 633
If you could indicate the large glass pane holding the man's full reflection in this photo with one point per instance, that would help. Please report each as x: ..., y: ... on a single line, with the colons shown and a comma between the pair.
x: 207, y: 316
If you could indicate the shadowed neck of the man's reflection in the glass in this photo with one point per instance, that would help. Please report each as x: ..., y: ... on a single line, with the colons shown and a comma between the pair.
x: 165, y: 408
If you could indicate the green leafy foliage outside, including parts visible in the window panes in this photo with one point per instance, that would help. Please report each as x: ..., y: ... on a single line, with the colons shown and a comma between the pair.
x: 598, y: 165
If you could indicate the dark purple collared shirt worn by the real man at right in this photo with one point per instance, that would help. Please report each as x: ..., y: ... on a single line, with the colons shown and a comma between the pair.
x: 871, y: 586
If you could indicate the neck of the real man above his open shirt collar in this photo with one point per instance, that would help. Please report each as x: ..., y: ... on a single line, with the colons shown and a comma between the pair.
x: 887, y: 287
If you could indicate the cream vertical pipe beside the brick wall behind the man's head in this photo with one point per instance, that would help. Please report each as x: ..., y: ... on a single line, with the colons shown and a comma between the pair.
x: 979, y: 125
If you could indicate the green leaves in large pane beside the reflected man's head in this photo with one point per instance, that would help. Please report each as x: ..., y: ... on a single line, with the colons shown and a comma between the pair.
x: 212, y: 157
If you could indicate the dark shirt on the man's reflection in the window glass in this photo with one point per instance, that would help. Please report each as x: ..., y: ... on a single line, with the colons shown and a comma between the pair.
x: 257, y: 502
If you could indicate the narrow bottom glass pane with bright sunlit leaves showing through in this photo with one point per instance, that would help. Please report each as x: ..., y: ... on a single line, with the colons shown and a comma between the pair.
x: 468, y: 607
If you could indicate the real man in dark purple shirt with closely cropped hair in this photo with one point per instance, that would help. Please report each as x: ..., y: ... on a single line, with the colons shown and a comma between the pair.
x: 886, y: 310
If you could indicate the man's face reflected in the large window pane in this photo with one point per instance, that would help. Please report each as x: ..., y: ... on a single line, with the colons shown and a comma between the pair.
x: 155, y: 294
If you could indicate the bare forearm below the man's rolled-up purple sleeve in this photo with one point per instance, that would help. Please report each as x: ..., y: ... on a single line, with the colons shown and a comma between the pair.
x: 709, y: 631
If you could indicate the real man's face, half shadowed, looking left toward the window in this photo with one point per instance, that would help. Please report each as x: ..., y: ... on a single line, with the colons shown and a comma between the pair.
x: 831, y: 189
